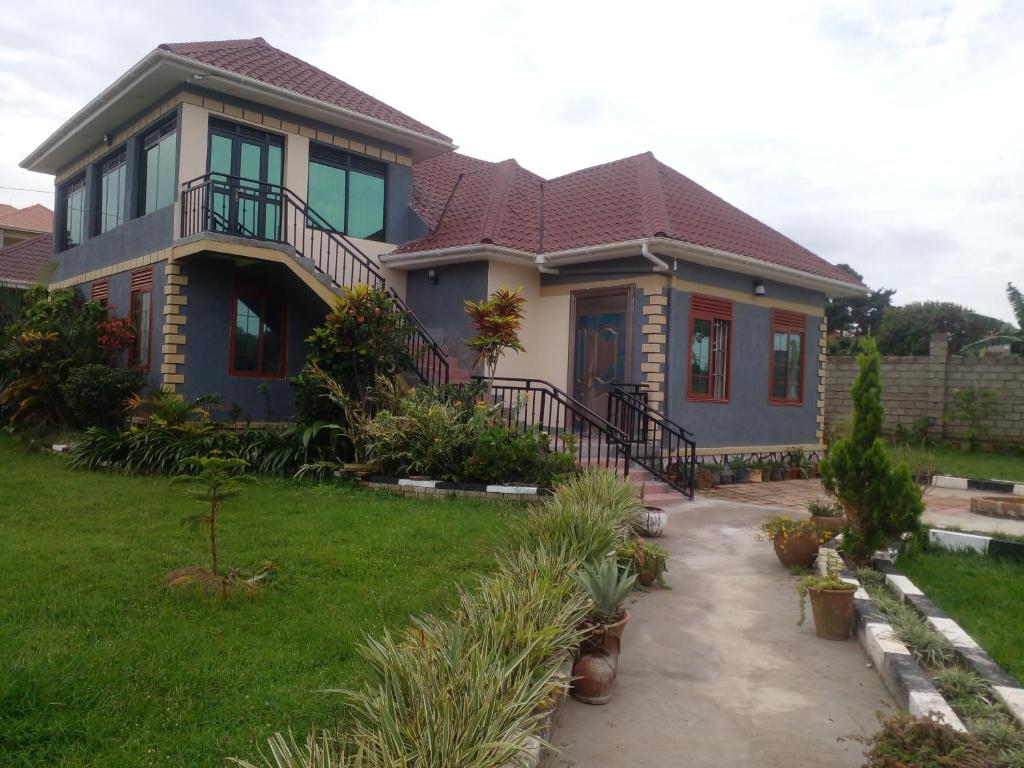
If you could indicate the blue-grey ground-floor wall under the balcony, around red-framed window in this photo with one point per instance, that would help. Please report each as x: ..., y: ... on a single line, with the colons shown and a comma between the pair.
x: 211, y: 286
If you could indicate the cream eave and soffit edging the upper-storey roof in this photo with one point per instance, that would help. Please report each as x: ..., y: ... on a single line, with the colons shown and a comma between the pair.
x: 44, y: 160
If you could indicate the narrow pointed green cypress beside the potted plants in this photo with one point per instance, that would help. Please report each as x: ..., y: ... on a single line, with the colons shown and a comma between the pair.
x: 882, y: 502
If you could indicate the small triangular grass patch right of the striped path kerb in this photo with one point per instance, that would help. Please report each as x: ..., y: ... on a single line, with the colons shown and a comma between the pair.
x: 983, y: 594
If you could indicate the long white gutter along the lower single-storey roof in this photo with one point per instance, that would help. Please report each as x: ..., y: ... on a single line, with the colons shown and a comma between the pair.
x: 549, y: 263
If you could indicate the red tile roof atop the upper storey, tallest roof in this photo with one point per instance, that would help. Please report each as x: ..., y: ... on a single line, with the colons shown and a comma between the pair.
x: 259, y: 60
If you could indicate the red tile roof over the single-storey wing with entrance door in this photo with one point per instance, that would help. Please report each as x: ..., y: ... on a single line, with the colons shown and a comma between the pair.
x: 465, y: 201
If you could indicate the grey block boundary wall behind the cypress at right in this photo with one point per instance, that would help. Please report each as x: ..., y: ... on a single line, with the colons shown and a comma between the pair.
x: 914, y: 388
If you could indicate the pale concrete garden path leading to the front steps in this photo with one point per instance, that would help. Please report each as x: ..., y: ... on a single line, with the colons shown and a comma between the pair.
x: 716, y: 673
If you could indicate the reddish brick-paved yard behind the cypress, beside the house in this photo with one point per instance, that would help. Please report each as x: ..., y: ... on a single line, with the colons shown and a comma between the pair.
x: 944, y: 506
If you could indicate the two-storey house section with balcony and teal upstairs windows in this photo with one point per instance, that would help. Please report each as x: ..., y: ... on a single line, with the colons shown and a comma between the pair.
x: 221, y: 194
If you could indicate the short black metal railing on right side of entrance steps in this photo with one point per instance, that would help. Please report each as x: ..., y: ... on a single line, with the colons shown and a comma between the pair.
x: 657, y: 443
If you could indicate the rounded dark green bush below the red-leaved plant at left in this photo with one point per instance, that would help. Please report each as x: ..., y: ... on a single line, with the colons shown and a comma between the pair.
x: 97, y: 395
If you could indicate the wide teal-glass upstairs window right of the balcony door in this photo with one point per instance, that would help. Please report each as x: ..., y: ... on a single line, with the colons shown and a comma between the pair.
x: 348, y: 192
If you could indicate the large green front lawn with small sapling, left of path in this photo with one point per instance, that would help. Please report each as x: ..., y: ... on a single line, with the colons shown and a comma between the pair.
x: 102, y: 666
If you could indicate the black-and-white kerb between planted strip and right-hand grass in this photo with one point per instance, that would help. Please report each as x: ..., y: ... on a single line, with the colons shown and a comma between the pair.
x: 1006, y: 689
